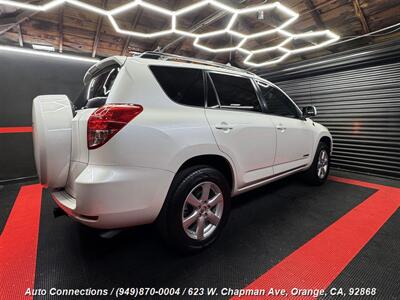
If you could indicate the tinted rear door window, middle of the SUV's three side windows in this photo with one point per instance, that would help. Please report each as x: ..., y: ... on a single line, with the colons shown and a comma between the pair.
x: 235, y: 92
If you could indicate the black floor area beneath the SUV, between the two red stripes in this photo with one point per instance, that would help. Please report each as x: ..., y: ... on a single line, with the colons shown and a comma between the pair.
x: 265, y: 226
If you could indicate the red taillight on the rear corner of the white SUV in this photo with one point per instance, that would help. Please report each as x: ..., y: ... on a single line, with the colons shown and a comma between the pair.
x: 107, y: 120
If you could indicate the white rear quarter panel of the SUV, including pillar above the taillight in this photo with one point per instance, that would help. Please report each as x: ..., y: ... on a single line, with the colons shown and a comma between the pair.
x: 164, y: 135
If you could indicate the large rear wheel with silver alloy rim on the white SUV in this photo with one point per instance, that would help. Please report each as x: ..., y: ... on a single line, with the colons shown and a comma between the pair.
x: 178, y: 208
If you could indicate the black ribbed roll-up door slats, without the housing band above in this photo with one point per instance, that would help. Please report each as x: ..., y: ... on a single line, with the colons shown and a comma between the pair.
x: 361, y: 108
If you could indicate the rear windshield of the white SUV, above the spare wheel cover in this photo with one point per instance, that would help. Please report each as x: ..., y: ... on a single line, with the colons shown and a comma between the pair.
x: 95, y: 93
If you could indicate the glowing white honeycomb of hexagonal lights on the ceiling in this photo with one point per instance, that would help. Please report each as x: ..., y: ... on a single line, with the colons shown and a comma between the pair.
x: 289, y: 16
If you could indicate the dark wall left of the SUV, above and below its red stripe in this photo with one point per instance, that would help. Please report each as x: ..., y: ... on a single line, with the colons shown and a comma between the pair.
x: 22, y: 78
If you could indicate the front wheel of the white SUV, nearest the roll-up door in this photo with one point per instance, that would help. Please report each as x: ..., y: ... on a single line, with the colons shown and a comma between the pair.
x: 314, y: 175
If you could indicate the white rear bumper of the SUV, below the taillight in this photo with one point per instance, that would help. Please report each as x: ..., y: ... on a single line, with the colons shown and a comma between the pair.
x: 115, y: 197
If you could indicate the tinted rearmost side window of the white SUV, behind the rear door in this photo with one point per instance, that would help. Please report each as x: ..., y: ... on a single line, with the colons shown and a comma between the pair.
x: 182, y: 85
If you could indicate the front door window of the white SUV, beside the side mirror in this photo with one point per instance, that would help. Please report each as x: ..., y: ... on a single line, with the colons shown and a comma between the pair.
x: 276, y: 102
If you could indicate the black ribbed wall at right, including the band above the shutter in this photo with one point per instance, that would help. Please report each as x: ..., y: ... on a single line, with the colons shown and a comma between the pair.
x: 357, y: 95
